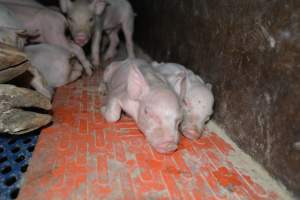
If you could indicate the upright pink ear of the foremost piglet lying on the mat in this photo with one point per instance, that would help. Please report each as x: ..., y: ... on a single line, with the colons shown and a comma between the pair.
x: 137, y: 85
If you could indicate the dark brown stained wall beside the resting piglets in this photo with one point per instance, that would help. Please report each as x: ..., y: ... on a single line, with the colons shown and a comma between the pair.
x: 250, y: 51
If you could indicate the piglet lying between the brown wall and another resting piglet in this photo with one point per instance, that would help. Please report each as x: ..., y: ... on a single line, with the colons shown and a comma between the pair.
x: 197, y: 98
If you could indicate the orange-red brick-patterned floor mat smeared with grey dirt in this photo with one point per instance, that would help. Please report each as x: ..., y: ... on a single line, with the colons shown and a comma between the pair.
x: 82, y: 157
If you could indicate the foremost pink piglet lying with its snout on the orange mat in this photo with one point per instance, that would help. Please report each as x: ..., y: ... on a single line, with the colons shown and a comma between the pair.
x: 134, y: 87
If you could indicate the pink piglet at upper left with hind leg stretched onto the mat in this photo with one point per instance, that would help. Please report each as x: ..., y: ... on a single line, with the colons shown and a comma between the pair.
x: 51, y: 26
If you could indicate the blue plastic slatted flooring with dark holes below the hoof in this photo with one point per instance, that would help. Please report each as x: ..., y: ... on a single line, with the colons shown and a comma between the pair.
x: 15, y: 153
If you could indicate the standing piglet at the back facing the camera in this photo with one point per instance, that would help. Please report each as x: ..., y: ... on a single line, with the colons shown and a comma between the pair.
x: 88, y: 20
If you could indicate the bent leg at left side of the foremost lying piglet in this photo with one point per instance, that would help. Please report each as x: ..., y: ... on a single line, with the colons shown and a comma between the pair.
x: 111, y: 111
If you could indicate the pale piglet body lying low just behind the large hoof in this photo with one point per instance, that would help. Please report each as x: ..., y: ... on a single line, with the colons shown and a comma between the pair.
x: 55, y: 63
